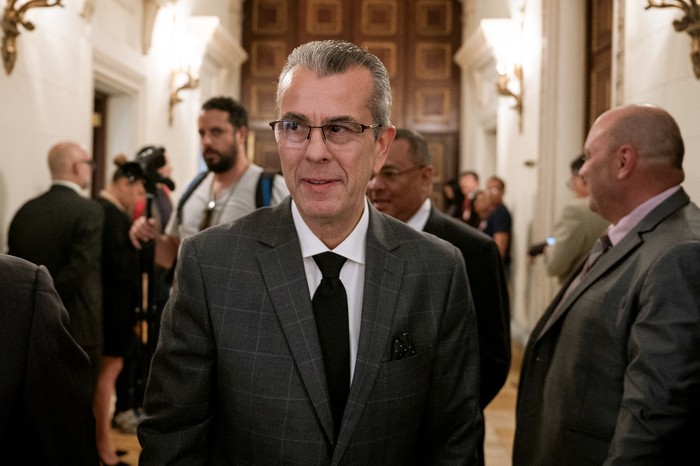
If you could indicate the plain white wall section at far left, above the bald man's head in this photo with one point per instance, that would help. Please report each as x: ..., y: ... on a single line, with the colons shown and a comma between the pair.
x: 46, y: 99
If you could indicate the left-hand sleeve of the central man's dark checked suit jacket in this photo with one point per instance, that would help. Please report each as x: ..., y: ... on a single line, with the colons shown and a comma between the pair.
x: 180, y: 386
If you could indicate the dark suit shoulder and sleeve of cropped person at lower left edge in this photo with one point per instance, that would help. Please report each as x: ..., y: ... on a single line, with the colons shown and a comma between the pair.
x: 49, y: 386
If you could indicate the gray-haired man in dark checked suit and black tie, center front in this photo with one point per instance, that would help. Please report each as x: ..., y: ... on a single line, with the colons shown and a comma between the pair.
x: 239, y: 376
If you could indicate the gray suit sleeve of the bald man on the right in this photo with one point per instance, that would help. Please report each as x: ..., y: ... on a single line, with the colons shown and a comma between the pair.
x: 658, y: 418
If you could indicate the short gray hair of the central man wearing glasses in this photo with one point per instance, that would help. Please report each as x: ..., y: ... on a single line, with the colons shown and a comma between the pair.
x: 329, y: 57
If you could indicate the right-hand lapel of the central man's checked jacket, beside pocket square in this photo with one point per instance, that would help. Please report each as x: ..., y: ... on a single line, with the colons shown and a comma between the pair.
x: 383, y: 277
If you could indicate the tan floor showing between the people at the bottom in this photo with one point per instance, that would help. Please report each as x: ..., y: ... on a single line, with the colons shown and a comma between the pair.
x: 500, y: 424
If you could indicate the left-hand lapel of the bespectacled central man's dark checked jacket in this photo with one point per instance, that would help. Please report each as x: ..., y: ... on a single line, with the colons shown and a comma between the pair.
x: 282, y: 269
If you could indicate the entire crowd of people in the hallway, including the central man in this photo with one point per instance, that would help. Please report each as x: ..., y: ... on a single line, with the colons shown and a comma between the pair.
x: 237, y: 369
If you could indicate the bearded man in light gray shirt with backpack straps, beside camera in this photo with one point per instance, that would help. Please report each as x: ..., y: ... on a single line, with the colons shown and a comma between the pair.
x: 224, y: 193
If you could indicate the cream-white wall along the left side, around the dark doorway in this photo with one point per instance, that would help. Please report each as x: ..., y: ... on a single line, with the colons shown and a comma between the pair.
x: 90, y: 44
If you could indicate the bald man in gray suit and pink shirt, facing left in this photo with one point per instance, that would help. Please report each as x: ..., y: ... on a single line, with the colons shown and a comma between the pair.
x: 611, y: 374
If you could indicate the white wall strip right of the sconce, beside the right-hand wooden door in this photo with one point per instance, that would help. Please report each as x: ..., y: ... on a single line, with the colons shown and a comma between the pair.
x: 559, y: 77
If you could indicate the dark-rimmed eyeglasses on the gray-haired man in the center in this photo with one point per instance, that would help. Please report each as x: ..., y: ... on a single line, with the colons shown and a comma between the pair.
x: 294, y: 134
